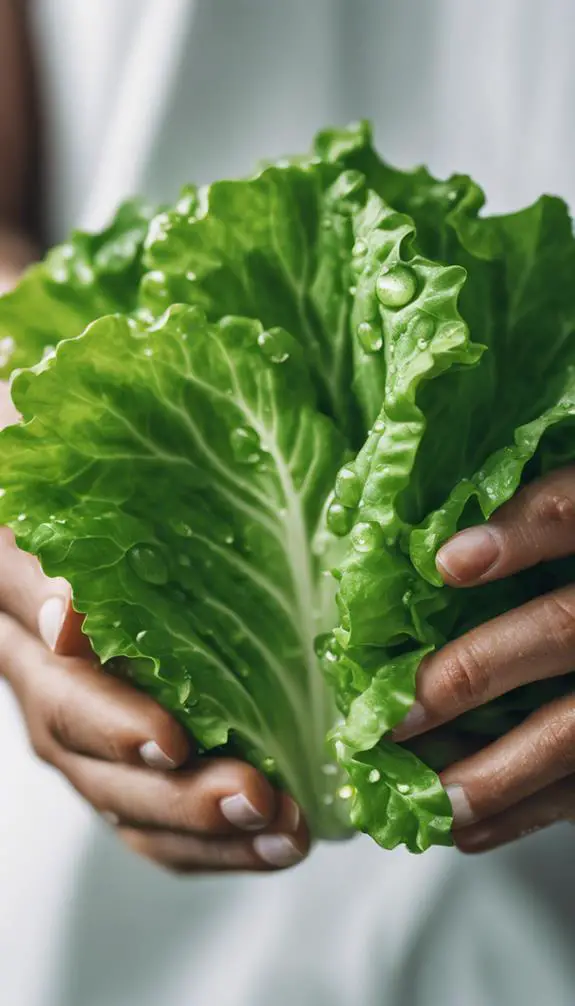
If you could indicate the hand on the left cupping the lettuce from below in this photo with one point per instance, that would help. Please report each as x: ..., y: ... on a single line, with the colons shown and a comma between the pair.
x: 120, y: 750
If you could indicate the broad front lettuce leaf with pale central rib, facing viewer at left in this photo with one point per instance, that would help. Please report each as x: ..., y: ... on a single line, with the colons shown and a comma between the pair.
x: 180, y: 473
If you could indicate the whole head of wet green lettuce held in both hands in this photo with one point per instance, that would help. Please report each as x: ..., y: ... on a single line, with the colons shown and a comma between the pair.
x: 331, y: 366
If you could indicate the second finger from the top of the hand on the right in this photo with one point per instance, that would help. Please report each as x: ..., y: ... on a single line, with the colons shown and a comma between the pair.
x: 531, y: 643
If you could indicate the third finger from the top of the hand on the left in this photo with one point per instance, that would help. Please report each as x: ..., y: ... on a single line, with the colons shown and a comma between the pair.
x: 216, y: 798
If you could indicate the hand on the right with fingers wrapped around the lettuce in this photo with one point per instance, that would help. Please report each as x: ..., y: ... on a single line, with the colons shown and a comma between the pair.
x: 526, y: 780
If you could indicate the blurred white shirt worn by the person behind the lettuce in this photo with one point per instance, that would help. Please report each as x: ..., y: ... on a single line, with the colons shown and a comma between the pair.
x: 143, y: 96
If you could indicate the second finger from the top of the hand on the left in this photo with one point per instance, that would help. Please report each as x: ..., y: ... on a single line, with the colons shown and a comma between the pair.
x: 69, y: 704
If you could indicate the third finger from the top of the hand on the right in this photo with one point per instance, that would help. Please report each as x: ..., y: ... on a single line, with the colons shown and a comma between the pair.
x: 530, y: 758
